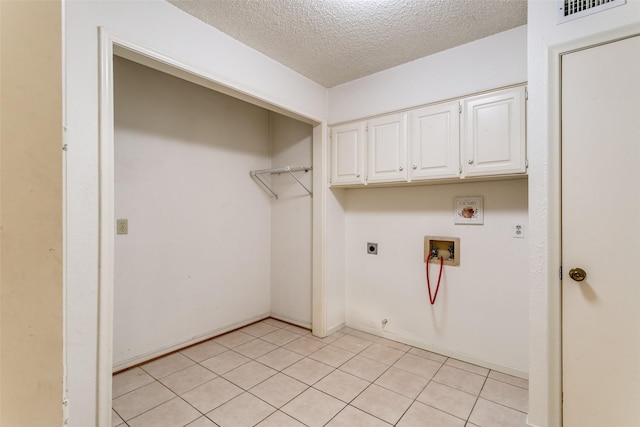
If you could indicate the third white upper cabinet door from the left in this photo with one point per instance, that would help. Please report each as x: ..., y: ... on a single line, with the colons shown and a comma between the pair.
x: 434, y: 141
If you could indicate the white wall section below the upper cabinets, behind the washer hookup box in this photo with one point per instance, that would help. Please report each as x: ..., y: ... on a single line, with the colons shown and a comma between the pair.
x: 480, y: 314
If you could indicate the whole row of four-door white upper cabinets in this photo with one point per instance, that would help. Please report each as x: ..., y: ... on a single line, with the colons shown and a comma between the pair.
x: 477, y: 136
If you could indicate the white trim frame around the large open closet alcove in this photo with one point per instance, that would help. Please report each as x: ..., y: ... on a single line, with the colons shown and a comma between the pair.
x: 111, y: 44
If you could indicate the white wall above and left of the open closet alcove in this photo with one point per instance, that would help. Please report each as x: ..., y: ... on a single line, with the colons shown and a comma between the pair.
x: 165, y: 29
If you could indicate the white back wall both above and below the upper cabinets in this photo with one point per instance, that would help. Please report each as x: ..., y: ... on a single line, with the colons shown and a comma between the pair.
x: 495, y: 61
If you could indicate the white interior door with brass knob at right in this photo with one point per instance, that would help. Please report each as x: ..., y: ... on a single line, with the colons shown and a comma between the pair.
x: 601, y: 234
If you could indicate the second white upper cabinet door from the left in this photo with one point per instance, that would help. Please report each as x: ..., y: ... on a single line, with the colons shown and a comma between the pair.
x: 387, y: 148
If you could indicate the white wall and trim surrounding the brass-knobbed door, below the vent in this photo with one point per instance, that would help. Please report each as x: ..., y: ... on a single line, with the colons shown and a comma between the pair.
x: 546, y: 40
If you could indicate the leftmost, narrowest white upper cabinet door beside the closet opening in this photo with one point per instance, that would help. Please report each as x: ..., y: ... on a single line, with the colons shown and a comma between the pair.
x: 347, y: 154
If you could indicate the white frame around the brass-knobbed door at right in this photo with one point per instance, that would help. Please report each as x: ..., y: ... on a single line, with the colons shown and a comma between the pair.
x: 554, y: 202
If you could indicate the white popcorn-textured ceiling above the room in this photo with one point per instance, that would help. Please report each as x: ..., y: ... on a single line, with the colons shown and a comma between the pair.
x: 336, y: 41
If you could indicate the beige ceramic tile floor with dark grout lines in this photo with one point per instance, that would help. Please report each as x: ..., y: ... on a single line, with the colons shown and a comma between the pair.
x: 272, y: 374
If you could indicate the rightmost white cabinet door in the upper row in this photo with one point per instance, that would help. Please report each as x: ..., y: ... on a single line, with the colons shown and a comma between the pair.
x: 493, y: 135
